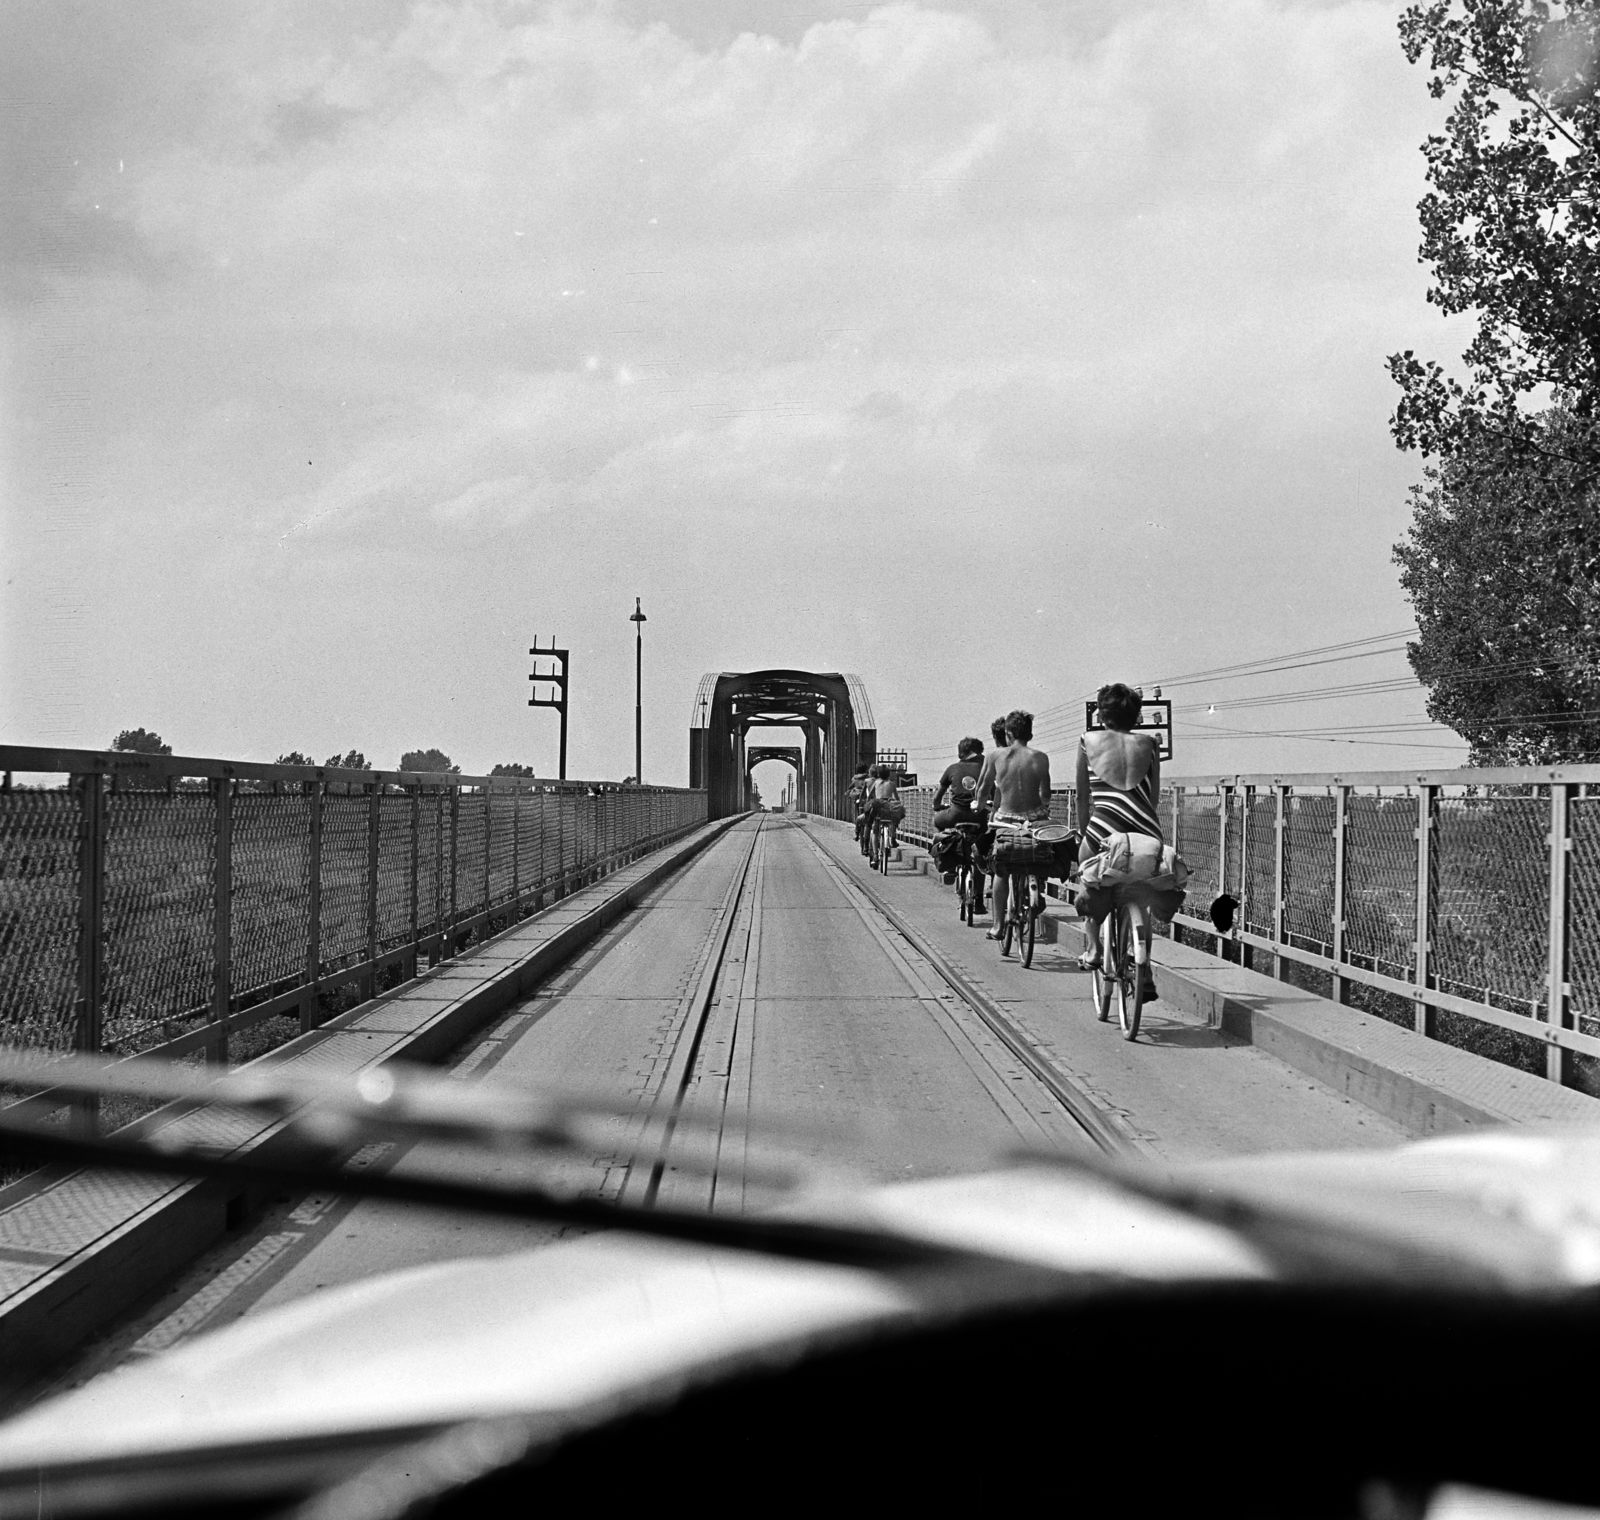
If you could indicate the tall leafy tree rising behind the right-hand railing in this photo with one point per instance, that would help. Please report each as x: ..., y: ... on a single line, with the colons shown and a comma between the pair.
x: 1503, y: 556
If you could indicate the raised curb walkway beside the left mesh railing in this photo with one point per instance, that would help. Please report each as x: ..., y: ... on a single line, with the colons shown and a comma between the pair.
x: 146, y: 1230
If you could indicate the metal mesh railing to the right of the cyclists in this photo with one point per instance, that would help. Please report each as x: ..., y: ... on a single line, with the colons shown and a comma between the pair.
x: 1473, y: 892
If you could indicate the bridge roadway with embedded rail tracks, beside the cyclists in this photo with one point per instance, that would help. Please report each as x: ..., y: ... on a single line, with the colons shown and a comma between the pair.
x: 810, y: 1009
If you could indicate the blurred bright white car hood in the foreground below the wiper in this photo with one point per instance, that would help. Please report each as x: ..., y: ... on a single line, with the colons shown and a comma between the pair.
x: 583, y: 1321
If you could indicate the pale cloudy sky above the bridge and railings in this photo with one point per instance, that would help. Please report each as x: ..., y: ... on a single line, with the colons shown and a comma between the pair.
x: 990, y: 351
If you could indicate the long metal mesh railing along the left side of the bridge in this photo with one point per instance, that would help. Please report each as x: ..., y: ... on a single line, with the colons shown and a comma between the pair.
x: 154, y: 903
